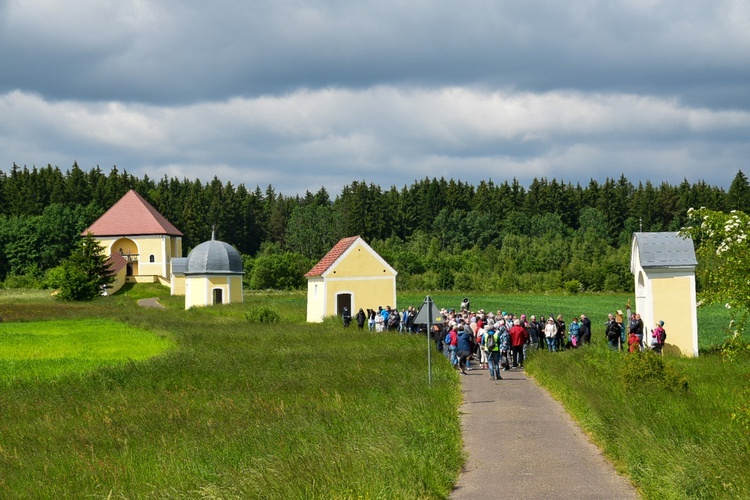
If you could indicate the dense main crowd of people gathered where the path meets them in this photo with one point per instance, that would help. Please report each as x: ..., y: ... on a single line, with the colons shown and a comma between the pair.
x: 499, y: 341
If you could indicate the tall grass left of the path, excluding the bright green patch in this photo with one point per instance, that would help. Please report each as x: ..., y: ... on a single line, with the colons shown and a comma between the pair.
x: 237, y: 410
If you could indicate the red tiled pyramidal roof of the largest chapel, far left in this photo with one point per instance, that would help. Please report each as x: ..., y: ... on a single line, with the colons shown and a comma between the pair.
x: 130, y: 216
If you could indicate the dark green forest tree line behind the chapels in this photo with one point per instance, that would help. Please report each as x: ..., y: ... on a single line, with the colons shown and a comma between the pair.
x: 437, y: 233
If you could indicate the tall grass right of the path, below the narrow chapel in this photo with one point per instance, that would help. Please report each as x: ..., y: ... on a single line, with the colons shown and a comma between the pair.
x: 673, y: 443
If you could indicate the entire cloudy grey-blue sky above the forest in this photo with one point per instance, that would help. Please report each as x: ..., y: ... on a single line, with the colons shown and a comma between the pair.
x: 303, y: 94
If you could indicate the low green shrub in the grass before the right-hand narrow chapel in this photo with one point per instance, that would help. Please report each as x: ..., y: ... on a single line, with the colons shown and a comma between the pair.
x: 649, y: 369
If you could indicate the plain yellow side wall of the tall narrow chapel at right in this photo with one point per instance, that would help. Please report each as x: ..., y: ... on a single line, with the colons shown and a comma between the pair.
x: 672, y: 303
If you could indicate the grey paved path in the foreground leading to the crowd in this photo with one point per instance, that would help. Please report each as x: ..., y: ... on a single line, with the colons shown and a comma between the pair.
x: 536, y: 446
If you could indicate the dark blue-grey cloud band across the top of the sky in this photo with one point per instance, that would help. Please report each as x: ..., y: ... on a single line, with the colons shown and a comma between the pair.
x: 192, y: 51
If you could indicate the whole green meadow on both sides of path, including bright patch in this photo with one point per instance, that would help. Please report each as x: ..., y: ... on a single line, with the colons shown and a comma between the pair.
x: 110, y: 400
